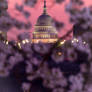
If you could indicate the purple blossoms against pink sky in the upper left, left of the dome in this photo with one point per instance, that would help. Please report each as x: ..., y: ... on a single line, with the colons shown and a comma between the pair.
x: 7, y: 21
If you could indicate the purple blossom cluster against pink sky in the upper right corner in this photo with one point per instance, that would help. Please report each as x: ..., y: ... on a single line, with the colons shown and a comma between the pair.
x: 79, y: 14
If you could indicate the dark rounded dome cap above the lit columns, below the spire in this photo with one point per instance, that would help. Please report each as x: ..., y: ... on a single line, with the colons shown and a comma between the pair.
x: 44, y: 20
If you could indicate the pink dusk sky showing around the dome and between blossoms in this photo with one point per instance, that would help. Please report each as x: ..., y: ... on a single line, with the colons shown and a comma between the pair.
x: 55, y: 10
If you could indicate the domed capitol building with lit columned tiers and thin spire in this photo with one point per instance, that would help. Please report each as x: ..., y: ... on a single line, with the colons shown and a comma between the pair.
x: 44, y: 31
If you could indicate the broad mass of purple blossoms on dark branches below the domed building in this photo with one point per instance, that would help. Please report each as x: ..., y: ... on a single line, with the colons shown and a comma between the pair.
x: 62, y: 69
